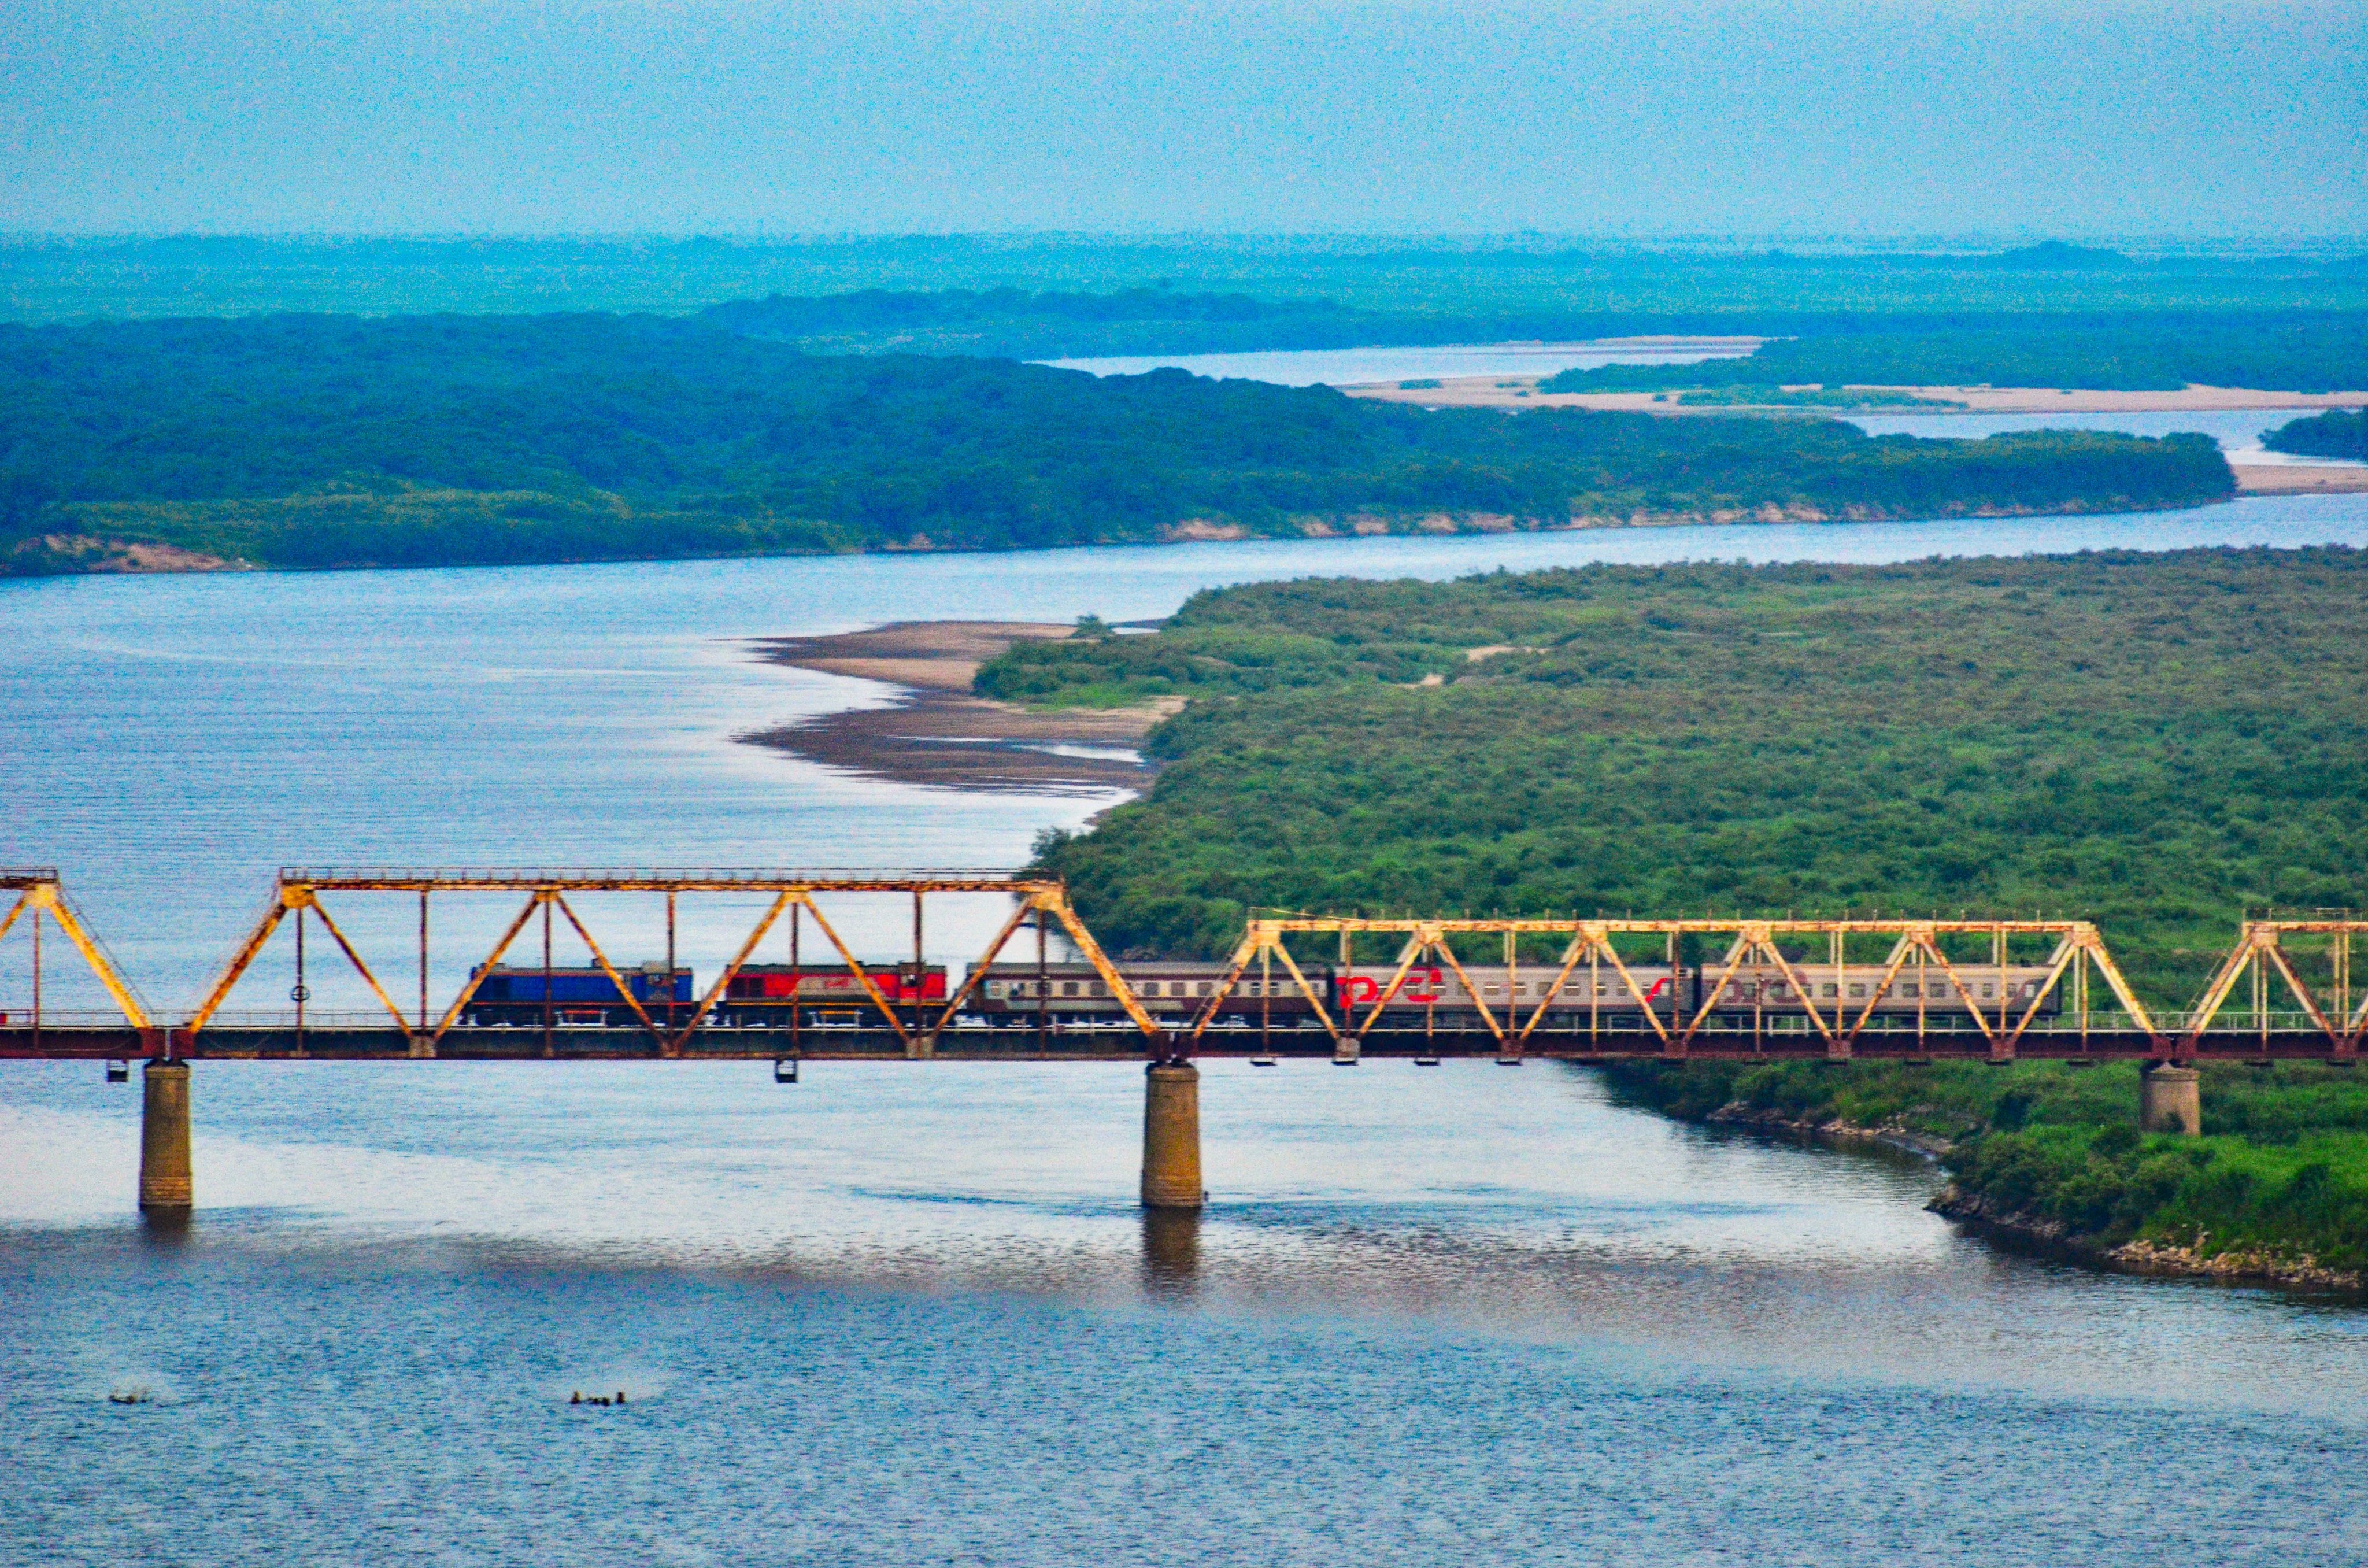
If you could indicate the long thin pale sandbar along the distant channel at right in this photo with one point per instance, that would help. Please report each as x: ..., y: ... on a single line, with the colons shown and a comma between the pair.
x: 1521, y: 392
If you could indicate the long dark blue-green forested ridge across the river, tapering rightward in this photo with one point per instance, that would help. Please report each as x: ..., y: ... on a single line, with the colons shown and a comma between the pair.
x: 342, y: 442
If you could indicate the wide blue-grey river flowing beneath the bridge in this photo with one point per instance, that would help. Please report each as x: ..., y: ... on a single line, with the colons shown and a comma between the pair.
x: 910, y: 1313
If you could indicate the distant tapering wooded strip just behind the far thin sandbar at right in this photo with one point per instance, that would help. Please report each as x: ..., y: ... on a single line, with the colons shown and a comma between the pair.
x: 2161, y: 354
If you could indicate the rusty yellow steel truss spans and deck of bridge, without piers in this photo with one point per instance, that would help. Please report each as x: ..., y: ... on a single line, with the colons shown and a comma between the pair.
x: 2258, y: 1005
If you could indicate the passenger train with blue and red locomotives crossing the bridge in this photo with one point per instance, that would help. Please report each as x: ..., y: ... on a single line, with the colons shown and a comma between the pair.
x: 1429, y: 998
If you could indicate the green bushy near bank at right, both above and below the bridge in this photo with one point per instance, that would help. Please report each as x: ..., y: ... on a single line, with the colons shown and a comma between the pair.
x: 2149, y: 740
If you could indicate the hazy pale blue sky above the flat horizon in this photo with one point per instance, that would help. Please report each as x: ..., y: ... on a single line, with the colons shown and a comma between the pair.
x: 764, y: 117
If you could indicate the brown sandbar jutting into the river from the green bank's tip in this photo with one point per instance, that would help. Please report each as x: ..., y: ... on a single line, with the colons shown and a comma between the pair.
x: 937, y: 733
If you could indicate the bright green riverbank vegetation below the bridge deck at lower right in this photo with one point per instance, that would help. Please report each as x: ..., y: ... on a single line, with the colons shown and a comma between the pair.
x: 2282, y: 1169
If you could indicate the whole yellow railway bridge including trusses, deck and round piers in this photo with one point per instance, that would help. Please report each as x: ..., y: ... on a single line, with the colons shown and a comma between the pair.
x: 1730, y: 989
